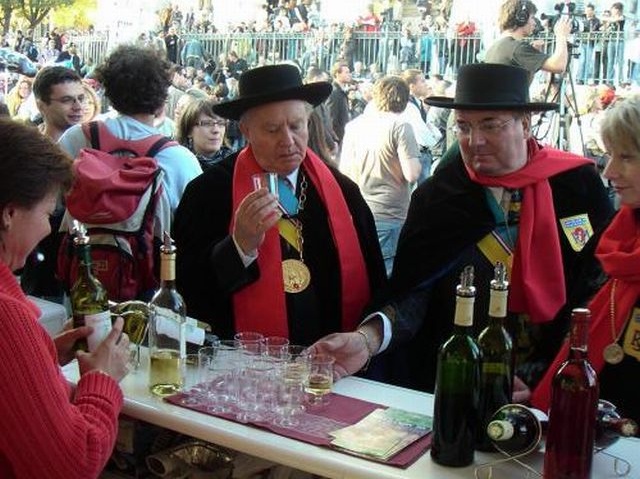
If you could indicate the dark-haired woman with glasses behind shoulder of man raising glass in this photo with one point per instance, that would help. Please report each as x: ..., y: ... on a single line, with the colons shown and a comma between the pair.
x: 203, y: 132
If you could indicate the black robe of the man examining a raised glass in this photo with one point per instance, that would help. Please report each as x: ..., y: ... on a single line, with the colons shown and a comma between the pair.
x: 209, y: 269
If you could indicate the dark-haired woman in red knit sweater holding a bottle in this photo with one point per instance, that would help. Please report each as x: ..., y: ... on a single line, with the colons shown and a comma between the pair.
x: 71, y: 432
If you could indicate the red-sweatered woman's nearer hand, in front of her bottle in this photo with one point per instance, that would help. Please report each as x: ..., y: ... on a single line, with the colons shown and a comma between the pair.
x: 111, y: 356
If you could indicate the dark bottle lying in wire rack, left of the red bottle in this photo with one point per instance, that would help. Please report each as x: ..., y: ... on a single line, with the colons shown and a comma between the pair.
x: 515, y: 429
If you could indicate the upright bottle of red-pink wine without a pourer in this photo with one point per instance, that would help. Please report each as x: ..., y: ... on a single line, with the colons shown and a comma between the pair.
x: 573, y: 406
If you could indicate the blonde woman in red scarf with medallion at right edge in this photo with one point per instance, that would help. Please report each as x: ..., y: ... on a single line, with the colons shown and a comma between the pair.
x: 614, y: 329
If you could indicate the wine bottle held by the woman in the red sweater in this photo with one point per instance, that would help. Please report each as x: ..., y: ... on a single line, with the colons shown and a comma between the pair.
x: 89, y: 301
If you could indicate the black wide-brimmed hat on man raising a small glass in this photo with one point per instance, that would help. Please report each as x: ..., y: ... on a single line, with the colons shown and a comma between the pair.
x: 268, y: 84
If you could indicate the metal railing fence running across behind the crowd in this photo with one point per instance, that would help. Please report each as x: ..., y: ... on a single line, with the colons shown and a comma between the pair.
x: 596, y: 57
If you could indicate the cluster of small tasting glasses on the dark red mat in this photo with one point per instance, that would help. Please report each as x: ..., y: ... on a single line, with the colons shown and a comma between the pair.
x: 258, y: 379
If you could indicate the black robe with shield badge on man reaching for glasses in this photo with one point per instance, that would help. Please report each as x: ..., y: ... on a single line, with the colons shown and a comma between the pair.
x: 448, y: 215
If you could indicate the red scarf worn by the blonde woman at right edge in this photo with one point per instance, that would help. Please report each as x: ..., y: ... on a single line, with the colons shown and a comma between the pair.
x: 619, y: 253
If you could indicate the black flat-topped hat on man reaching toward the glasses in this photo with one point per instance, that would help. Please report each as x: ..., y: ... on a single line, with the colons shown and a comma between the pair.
x: 491, y: 86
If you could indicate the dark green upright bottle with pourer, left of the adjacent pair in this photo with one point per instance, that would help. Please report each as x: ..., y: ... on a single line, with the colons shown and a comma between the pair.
x: 457, y: 381
